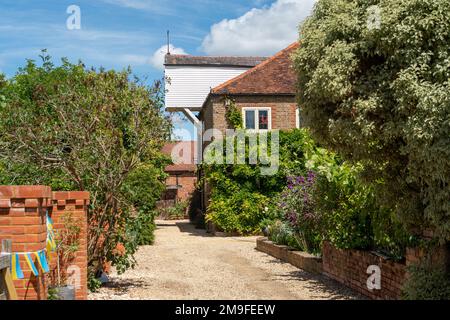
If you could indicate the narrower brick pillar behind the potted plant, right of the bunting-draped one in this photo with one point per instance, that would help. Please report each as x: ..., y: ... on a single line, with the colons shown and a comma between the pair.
x: 75, y: 204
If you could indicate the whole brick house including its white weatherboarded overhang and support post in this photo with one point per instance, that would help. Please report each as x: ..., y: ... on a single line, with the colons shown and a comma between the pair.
x: 263, y: 89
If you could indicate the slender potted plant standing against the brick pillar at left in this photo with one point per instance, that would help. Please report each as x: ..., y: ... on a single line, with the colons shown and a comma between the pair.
x: 67, y: 244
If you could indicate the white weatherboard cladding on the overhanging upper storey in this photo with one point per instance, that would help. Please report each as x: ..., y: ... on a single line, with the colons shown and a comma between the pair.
x: 188, y: 86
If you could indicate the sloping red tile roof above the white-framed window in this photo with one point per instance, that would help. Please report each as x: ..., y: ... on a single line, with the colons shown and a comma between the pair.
x: 273, y: 76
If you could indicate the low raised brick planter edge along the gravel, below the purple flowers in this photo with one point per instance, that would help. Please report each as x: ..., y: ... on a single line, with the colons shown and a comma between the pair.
x: 298, y: 259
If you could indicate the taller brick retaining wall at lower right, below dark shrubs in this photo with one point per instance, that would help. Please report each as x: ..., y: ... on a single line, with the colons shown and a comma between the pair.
x: 349, y: 267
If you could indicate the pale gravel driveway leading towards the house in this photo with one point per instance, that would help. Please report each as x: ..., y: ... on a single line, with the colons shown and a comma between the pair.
x: 186, y: 263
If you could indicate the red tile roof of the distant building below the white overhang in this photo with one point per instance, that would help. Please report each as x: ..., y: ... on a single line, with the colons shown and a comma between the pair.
x: 187, y: 163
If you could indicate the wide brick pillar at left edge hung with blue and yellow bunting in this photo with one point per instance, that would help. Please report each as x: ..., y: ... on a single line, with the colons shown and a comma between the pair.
x: 22, y: 220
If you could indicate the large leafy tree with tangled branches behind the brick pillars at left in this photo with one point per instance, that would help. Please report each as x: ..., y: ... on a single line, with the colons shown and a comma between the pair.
x: 82, y: 129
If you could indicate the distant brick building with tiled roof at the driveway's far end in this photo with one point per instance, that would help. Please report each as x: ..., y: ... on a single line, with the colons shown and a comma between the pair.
x: 182, y: 179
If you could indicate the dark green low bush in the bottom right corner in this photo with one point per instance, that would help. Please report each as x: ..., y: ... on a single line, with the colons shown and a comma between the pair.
x: 427, y: 282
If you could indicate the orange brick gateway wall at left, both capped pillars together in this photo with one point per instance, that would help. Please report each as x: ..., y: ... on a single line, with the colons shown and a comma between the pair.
x: 23, y: 212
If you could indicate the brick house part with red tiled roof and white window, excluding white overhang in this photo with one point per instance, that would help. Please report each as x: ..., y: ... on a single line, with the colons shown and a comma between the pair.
x: 265, y: 95
